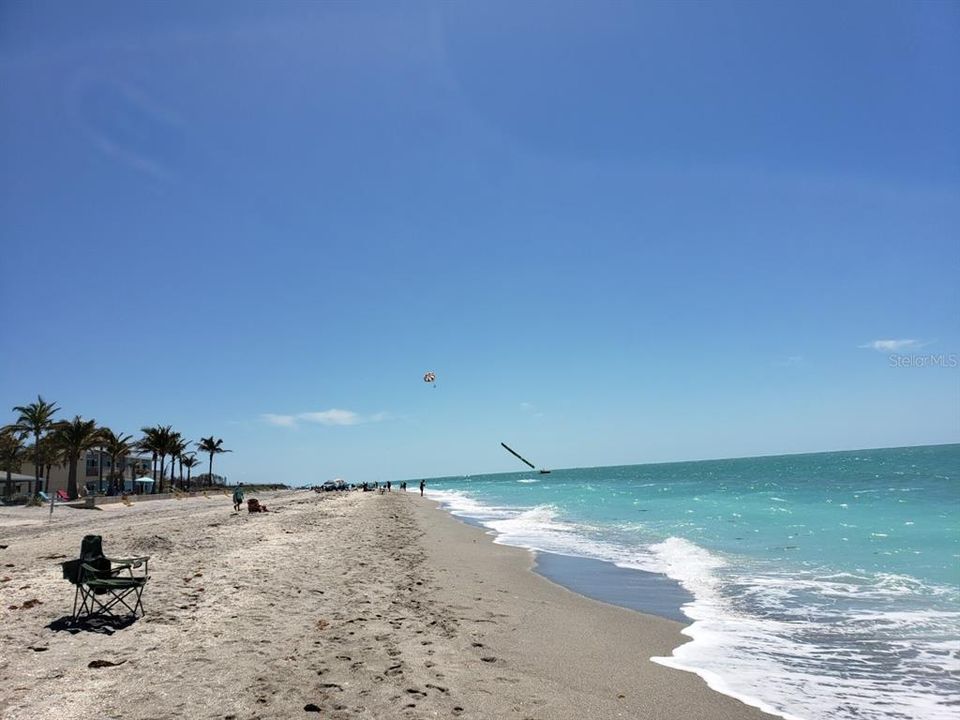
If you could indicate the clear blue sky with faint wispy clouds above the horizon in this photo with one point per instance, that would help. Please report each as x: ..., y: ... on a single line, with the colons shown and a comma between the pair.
x: 617, y: 232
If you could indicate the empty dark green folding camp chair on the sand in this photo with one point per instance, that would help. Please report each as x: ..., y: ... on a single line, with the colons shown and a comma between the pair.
x: 105, y: 585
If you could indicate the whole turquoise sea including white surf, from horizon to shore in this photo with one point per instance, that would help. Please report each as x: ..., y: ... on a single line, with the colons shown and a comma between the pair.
x: 824, y: 585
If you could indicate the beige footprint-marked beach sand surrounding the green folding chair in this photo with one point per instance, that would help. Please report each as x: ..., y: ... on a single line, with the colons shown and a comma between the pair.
x: 349, y: 604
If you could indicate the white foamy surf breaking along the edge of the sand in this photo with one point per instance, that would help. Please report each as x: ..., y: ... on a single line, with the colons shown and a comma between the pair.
x: 800, y: 644
